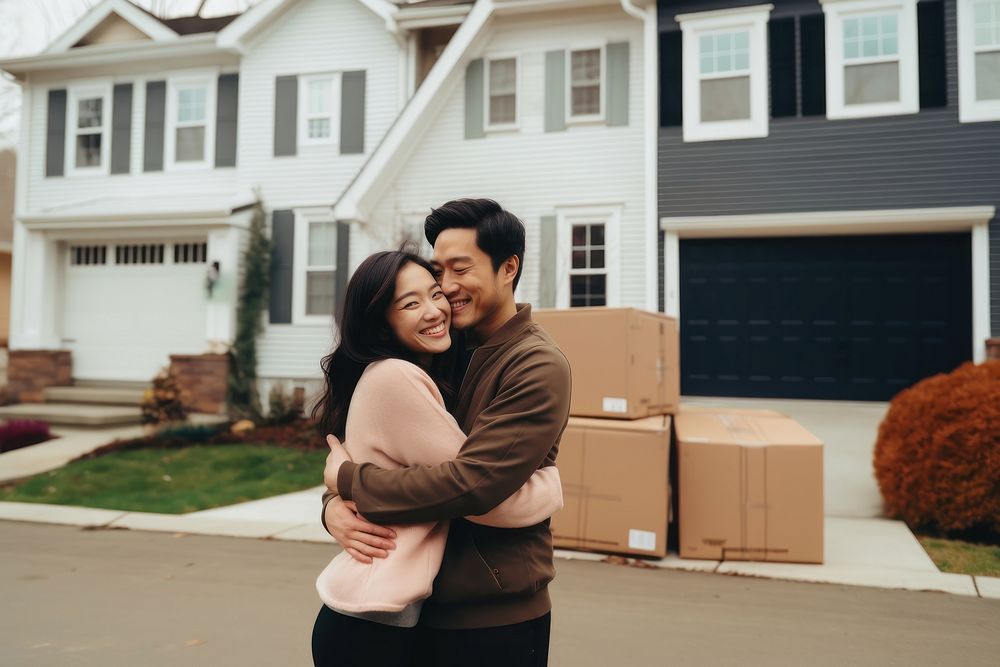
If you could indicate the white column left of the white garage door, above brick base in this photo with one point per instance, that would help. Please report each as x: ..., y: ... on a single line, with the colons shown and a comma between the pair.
x: 36, y: 273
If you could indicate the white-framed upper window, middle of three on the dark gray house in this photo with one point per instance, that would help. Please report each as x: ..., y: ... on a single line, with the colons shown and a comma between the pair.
x: 871, y: 57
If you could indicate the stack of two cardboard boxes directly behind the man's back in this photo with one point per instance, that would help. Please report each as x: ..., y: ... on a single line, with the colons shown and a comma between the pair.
x: 614, y: 456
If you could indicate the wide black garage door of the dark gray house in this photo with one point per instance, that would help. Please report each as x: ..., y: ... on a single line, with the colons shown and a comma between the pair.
x: 846, y: 317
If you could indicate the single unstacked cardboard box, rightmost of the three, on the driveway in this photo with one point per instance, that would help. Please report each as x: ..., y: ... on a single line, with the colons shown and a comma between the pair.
x: 751, y: 487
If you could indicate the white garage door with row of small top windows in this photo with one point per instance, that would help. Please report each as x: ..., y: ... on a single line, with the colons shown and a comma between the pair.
x: 129, y: 306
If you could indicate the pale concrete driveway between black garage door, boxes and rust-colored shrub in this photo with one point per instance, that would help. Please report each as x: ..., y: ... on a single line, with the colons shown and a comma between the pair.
x: 848, y: 431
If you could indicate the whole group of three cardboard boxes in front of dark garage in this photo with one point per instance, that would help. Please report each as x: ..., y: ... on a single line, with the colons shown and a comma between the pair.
x: 748, y: 483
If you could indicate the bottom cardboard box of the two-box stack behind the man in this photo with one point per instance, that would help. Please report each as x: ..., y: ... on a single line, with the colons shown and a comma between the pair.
x: 615, y: 486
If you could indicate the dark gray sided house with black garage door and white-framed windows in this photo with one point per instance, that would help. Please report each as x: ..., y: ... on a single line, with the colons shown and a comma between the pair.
x: 829, y: 223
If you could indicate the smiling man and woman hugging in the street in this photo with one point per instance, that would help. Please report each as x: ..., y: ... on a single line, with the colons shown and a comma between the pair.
x: 450, y: 403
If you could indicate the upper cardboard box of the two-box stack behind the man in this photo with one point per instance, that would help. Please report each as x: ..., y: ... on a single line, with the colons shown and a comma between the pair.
x: 625, y: 361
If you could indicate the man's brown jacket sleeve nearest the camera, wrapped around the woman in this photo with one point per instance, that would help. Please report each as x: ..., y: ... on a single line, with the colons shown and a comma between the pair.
x: 509, y: 441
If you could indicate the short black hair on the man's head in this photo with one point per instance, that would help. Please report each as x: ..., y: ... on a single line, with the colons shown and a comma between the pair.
x: 499, y: 233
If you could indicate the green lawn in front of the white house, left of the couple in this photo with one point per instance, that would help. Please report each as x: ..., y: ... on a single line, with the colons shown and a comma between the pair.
x: 174, y: 481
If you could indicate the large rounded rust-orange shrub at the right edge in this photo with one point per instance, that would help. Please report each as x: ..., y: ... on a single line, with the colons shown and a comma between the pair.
x: 937, y: 457
